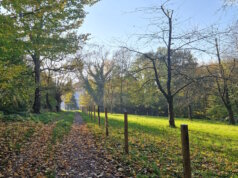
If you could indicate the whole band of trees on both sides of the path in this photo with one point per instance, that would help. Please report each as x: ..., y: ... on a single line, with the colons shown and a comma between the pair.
x: 39, y: 42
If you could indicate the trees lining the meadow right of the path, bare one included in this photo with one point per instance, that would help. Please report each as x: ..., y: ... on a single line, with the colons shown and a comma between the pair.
x: 166, y: 81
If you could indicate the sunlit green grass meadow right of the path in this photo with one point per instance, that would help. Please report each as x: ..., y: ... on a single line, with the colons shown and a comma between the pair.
x: 155, y: 148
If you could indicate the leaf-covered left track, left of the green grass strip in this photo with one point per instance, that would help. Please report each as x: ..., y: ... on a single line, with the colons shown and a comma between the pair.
x: 33, y: 155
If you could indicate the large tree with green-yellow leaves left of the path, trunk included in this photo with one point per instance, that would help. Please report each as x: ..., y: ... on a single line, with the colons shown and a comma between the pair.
x: 48, y: 29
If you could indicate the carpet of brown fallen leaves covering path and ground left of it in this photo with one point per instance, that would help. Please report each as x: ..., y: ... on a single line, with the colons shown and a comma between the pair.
x: 76, y: 156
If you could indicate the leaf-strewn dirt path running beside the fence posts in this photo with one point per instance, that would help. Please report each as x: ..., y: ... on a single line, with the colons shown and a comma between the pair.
x: 80, y: 156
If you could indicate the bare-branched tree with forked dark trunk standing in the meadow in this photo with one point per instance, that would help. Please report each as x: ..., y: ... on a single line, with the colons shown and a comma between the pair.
x: 173, y: 42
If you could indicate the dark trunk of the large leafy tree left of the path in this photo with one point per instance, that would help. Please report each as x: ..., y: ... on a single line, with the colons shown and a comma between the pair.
x: 37, y: 101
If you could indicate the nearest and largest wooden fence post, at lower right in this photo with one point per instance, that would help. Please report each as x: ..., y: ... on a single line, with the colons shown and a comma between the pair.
x: 186, y: 152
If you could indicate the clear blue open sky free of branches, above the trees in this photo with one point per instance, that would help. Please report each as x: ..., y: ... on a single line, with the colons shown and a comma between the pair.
x: 113, y: 21
